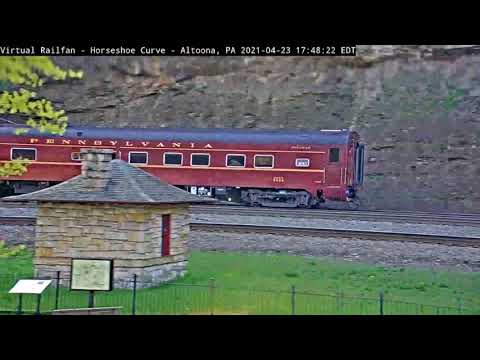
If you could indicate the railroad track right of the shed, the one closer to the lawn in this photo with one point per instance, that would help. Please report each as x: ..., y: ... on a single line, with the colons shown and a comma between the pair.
x: 337, y: 233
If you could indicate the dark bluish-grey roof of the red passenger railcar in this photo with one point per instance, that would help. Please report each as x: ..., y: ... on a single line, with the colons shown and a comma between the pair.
x: 218, y: 135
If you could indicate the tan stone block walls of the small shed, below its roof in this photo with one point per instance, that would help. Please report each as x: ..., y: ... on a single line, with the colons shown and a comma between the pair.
x: 129, y: 234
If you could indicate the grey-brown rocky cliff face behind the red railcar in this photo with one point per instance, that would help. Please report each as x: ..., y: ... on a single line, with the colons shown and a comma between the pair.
x: 416, y: 107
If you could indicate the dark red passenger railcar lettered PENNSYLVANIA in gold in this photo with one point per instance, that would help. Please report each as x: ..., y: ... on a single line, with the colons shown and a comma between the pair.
x: 294, y: 168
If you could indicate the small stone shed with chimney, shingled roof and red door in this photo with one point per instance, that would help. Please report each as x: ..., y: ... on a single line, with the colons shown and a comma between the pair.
x: 113, y: 210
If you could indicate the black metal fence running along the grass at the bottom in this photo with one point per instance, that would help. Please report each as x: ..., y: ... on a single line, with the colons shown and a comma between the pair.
x: 212, y: 298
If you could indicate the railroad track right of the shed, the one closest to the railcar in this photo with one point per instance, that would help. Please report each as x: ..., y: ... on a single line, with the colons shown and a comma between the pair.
x: 454, y: 219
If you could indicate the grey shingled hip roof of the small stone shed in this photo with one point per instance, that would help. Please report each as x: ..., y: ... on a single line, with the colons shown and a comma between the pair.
x: 125, y: 184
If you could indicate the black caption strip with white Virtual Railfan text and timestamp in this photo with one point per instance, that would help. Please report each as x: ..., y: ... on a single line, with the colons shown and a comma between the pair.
x: 179, y: 48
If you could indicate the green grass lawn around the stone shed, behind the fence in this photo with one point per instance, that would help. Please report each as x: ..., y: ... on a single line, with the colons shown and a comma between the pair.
x: 261, y: 284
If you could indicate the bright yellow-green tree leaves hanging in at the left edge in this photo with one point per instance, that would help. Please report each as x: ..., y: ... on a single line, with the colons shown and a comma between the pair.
x: 30, y: 72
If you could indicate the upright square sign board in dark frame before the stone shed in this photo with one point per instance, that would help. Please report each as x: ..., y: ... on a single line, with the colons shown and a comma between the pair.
x: 91, y: 274
